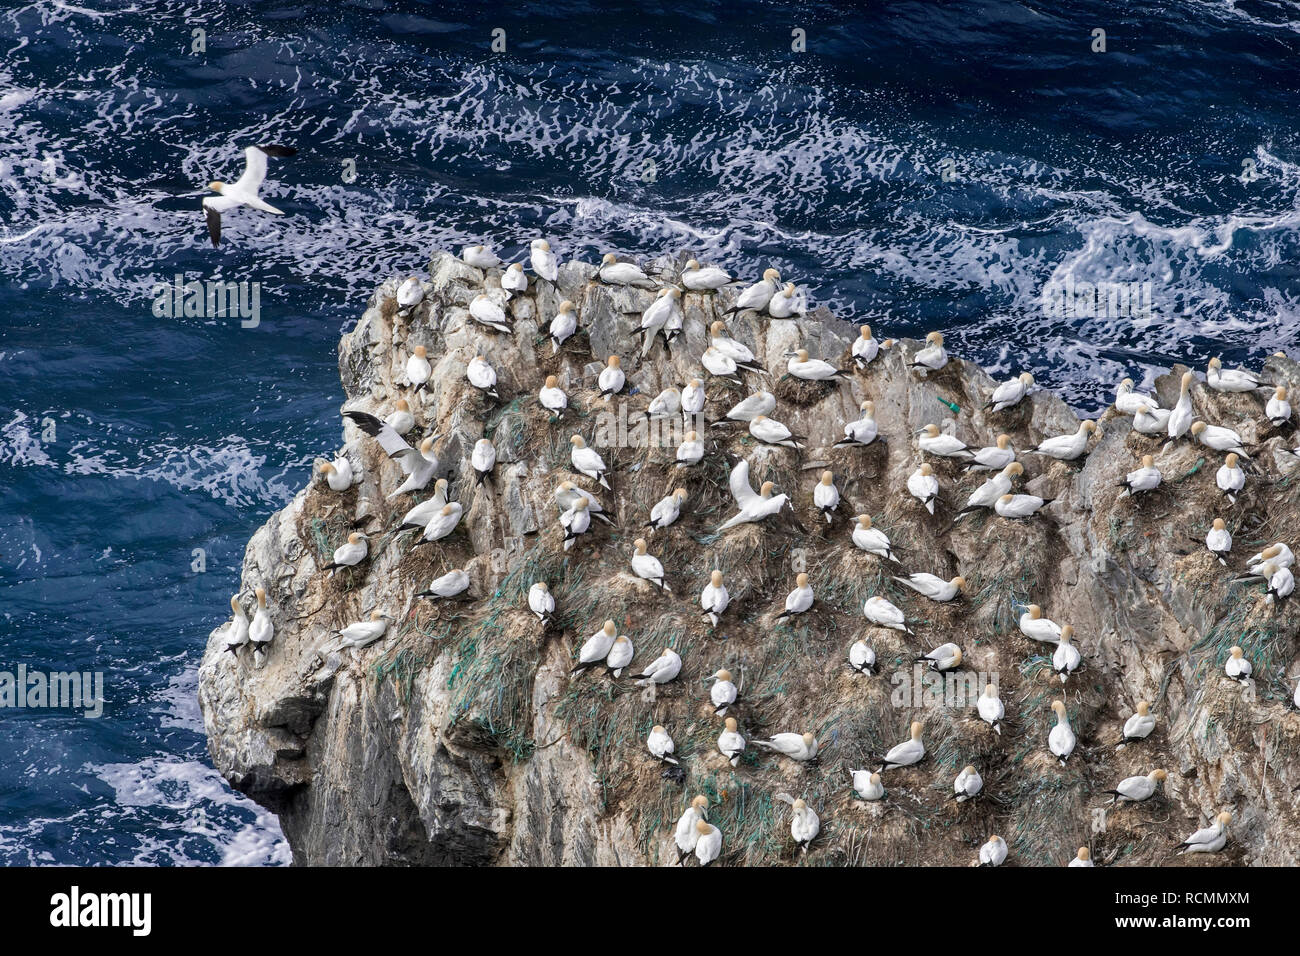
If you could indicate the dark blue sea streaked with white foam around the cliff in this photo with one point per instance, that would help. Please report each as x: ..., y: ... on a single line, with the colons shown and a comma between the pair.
x: 917, y: 165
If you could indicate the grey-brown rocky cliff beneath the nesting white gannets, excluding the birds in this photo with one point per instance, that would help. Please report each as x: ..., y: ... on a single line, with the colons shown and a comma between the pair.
x: 461, y: 737
